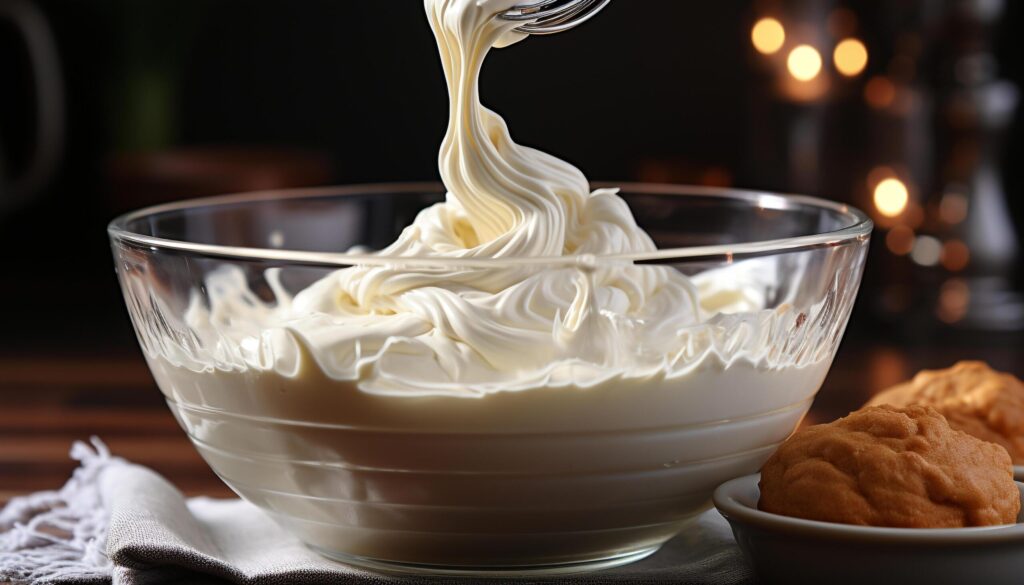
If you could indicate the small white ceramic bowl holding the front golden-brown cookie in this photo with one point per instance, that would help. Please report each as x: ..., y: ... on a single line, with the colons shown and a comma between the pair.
x: 785, y: 550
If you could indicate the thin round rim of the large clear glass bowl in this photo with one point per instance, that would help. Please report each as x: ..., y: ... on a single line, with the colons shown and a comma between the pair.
x: 860, y: 229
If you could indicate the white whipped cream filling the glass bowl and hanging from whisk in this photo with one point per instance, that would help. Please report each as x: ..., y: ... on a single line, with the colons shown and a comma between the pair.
x: 611, y: 398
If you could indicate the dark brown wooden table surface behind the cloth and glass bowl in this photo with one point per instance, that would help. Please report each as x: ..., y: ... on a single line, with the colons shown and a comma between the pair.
x: 49, y: 403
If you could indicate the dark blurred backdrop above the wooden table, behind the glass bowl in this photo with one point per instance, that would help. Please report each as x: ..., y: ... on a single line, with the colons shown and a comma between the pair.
x: 653, y: 90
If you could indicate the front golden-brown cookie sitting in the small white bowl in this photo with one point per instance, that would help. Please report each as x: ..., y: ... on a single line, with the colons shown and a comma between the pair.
x: 889, y: 467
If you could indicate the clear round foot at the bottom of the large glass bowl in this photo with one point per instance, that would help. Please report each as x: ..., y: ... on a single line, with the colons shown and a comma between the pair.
x: 484, y: 571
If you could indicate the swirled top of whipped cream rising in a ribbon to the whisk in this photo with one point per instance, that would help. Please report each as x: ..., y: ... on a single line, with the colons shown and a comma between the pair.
x: 472, y: 331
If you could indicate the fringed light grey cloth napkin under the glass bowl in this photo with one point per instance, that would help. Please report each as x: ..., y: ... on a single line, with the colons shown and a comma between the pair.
x: 118, y: 523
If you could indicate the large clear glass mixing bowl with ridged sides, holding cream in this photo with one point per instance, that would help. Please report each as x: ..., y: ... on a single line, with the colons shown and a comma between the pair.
x: 569, y: 471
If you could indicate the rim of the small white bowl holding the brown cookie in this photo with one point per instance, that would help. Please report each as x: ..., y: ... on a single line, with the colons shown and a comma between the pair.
x: 730, y: 498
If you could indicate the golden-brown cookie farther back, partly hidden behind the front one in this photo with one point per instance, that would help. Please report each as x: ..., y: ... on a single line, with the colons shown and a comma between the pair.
x: 974, y: 399
